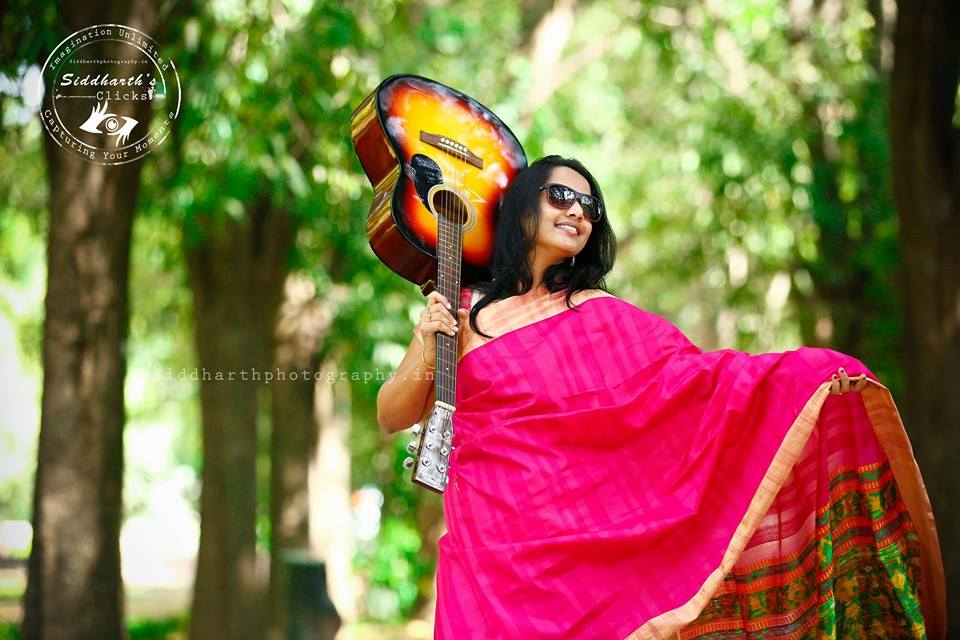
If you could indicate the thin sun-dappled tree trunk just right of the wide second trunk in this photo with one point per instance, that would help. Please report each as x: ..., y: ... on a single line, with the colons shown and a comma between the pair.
x: 301, y: 327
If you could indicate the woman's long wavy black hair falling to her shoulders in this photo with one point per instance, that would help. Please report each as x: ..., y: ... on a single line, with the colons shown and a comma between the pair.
x: 516, y: 234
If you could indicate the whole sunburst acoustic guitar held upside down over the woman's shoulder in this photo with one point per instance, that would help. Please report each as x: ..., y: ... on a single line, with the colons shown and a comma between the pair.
x: 440, y: 163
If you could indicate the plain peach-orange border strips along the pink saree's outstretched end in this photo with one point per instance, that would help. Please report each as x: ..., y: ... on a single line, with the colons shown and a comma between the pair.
x: 888, y: 427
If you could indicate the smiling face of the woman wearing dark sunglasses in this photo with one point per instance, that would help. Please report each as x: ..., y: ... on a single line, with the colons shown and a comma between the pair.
x: 562, y: 232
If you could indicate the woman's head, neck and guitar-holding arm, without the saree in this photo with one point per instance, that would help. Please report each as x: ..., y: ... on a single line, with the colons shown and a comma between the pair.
x: 536, y: 249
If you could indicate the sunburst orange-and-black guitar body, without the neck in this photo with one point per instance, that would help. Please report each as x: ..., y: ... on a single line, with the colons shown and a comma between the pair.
x: 426, y: 147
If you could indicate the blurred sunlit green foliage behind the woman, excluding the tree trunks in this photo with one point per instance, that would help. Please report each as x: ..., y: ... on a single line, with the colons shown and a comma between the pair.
x: 742, y: 148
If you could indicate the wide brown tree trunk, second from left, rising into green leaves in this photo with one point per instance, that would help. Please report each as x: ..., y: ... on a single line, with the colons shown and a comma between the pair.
x: 236, y: 277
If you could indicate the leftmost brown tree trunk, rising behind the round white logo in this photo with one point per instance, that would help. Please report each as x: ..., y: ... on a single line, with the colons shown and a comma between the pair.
x: 74, y: 586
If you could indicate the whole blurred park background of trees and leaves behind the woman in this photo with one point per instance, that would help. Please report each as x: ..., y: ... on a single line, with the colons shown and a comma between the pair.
x: 779, y: 173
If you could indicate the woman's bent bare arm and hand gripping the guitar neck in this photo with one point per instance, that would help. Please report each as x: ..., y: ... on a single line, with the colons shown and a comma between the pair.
x: 406, y: 397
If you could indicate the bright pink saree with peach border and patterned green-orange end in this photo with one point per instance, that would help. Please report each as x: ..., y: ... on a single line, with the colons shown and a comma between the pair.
x: 611, y: 480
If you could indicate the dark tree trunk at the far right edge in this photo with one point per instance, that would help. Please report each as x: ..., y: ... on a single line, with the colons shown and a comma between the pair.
x: 926, y: 178
